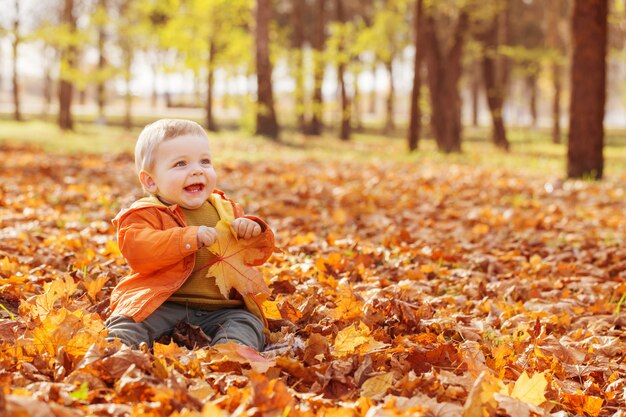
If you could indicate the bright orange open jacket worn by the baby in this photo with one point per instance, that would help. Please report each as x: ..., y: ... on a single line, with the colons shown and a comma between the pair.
x: 161, y: 249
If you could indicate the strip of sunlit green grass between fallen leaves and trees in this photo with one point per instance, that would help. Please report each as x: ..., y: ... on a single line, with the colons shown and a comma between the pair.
x: 531, y: 150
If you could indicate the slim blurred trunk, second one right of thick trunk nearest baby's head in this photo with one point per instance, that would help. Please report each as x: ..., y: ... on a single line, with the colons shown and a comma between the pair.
x: 316, y: 124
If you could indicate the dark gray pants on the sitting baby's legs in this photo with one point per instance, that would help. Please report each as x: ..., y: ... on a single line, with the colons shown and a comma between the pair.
x: 222, y: 326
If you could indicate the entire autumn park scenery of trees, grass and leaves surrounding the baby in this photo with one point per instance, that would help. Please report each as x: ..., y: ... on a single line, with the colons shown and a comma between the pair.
x: 446, y: 181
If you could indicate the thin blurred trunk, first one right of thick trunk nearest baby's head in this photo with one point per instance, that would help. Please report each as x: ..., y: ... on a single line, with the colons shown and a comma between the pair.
x: 298, y: 19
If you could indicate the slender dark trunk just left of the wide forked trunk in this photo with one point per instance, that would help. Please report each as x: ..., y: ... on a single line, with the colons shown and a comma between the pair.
x: 415, y: 122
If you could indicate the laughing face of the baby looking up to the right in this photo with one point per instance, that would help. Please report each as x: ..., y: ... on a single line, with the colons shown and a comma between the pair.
x: 183, y: 173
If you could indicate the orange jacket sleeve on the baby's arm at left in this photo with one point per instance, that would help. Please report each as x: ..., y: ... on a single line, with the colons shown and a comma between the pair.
x: 148, y: 248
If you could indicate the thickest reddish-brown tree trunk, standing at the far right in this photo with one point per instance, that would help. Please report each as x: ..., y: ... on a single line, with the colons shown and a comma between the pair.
x: 586, y: 130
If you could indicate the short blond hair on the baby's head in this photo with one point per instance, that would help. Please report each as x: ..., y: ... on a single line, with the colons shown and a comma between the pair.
x: 153, y: 134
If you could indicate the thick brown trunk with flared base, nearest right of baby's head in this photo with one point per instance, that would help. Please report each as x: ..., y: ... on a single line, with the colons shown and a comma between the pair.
x: 266, y: 124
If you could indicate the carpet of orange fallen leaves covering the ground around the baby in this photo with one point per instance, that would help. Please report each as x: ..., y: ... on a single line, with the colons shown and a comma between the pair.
x: 401, y: 289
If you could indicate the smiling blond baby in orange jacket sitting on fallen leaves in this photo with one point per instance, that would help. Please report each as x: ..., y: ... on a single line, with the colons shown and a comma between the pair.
x: 162, y: 237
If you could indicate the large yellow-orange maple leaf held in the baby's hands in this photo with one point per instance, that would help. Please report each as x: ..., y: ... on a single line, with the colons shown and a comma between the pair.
x: 233, y: 267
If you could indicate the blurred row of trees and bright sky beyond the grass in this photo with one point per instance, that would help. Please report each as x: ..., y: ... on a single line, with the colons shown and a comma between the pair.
x: 398, y: 68
